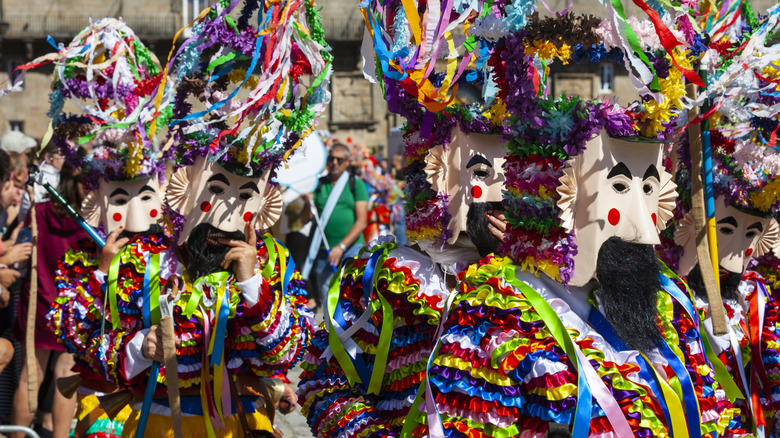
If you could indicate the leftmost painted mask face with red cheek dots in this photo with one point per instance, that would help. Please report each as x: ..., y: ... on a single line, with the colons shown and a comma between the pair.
x: 133, y: 205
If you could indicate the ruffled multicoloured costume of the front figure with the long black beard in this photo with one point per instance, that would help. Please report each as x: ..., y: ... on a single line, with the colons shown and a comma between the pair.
x: 501, y: 372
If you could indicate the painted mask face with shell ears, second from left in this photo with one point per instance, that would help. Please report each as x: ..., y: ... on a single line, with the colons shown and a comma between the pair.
x: 206, y: 193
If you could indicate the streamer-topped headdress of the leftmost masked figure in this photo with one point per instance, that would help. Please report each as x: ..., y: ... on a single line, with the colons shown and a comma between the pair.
x: 109, y: 74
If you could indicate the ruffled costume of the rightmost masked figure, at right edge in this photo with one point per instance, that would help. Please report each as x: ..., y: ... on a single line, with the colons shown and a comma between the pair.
x: 755, y: 340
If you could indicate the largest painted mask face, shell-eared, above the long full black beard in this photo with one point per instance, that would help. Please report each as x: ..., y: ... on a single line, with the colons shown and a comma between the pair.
x: 614, y: 188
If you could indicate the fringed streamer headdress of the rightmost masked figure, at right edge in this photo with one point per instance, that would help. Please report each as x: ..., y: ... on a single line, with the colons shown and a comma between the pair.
x: 744, y: 114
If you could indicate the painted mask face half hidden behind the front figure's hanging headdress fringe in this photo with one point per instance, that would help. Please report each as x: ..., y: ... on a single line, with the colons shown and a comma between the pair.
x: 470, y: 172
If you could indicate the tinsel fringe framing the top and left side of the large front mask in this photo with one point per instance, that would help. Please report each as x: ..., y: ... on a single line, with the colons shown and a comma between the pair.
x: 536, y: 237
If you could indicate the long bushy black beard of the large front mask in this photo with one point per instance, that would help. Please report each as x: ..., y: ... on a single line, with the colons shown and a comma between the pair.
x: 628, y: 275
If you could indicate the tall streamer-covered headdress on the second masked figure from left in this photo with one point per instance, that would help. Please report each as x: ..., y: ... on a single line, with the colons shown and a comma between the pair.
x: 248, y: 89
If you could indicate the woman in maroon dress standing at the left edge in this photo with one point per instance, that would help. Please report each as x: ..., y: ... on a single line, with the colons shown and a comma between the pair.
x: 60, y: 232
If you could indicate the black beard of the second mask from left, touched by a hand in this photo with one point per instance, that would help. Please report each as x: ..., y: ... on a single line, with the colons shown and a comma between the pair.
x: 204, y: 254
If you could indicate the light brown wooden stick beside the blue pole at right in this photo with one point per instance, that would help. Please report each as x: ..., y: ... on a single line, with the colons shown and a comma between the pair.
x: 717, y: 313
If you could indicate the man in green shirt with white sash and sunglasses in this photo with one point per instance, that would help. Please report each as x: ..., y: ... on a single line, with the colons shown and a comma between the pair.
x: 341, y: 200
